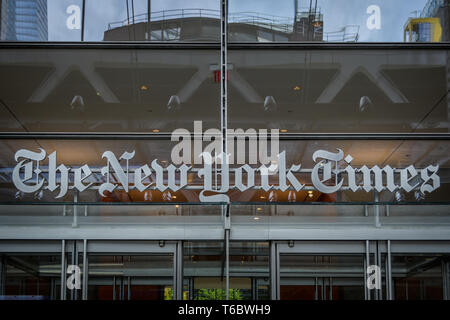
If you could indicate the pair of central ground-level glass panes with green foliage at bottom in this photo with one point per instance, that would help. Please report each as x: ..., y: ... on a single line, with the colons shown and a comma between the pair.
x: 204, y: 271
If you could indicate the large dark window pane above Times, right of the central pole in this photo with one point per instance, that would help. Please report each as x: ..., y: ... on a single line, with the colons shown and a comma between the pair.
x: 346, y: 91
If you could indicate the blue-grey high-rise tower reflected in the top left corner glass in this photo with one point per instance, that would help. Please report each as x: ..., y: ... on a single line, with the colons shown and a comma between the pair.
x: 23, y: 20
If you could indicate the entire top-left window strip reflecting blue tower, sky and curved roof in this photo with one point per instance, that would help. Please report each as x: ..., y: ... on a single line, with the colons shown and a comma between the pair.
x: 109, y: 20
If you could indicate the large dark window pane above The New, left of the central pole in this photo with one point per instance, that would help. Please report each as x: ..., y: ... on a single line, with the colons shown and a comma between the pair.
x: 108, y: 90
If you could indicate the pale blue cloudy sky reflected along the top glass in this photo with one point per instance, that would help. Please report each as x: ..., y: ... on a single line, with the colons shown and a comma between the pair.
x: 336, y: 14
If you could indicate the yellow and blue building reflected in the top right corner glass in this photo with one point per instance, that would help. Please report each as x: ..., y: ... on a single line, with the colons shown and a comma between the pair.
x: 432, y: 25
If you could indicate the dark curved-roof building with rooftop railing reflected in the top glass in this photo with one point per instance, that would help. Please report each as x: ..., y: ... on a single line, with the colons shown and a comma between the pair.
x: 204, y: 25
